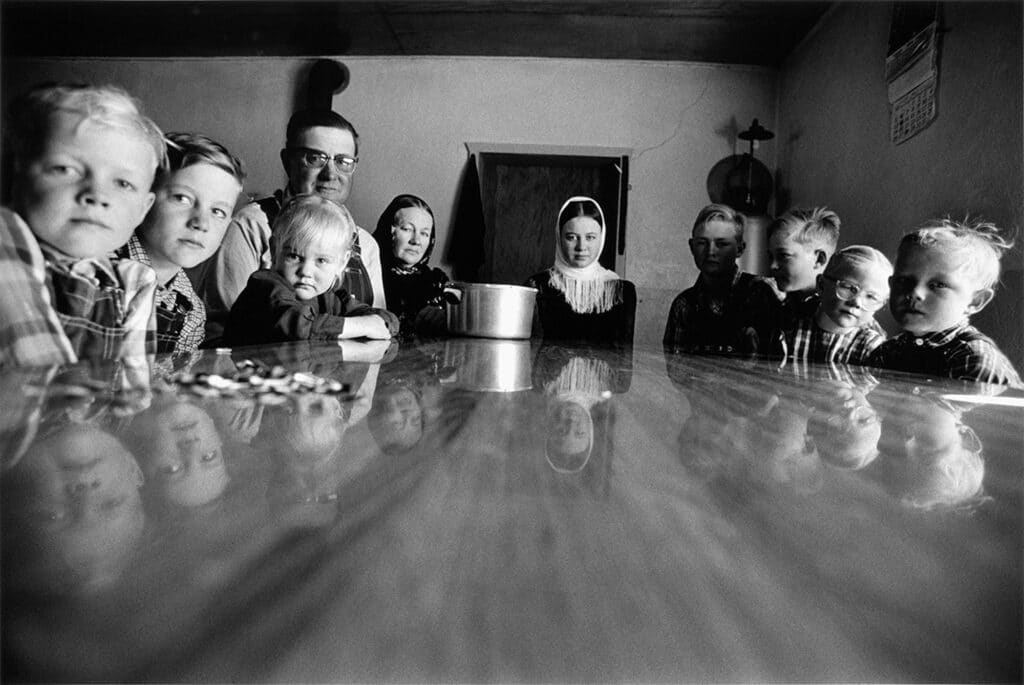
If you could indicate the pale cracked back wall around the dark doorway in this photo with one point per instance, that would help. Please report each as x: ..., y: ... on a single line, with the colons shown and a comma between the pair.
x: 416, y: 114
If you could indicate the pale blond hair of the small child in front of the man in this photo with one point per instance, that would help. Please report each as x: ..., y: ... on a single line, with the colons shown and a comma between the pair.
x: 309, y: 219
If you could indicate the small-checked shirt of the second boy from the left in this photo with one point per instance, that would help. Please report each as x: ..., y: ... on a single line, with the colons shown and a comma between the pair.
x: 181, y: 314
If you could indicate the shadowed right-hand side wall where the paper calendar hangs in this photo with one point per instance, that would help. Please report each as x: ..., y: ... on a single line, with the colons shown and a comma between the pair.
x: 834, y: 137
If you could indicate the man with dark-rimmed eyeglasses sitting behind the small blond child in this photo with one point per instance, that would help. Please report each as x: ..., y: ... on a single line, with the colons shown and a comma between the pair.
x: 320, y: 156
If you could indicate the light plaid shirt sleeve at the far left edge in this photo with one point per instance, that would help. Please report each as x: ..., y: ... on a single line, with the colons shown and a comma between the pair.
x: 31, y: 334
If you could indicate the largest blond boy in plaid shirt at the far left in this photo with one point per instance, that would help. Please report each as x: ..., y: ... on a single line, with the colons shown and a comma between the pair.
x: 86, y: 160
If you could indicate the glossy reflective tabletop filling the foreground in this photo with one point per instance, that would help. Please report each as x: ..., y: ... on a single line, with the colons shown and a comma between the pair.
x: 475, y: 510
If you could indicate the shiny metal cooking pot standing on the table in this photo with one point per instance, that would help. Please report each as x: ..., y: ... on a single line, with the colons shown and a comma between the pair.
x: 490, y: 311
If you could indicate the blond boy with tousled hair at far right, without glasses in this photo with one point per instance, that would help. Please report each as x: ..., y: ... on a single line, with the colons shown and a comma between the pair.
x: 946, y: 273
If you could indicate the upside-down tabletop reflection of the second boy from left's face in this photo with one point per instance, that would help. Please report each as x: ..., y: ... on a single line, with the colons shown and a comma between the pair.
x: 187, y: 462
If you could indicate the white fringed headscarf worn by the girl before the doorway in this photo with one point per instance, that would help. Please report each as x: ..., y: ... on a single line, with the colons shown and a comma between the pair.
x: 588, y: 290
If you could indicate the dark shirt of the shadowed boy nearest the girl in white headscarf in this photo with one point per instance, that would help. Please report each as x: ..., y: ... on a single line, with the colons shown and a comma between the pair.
x: 709, y: 319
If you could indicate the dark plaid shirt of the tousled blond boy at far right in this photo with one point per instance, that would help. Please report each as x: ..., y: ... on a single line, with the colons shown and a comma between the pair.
x: 962, y: 353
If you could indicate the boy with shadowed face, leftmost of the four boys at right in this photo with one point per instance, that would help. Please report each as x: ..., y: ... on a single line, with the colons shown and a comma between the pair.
x: 709, y: 317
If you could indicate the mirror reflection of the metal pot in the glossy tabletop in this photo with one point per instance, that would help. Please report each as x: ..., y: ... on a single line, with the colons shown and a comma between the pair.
x: 493, y: 366
